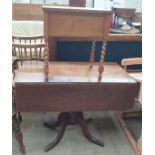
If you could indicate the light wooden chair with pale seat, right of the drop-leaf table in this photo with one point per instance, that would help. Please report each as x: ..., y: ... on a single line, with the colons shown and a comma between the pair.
x: 136, y: 111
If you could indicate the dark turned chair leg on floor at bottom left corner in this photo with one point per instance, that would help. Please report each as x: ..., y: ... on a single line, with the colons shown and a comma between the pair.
x: 18, y: 134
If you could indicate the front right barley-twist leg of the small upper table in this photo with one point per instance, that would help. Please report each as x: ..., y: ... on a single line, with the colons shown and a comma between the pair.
x: 101, y: 66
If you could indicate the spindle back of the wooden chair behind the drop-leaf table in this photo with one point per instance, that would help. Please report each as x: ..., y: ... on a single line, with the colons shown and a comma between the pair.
x: 28, y: 48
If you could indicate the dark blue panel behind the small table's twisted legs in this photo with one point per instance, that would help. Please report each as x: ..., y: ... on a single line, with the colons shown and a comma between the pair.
x: 116, y: 51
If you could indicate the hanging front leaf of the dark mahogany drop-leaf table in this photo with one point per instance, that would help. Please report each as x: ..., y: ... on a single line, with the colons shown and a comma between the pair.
x: 72, y: 97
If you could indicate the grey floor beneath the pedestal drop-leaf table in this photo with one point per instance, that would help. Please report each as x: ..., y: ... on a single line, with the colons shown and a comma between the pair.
x: 104, y: 126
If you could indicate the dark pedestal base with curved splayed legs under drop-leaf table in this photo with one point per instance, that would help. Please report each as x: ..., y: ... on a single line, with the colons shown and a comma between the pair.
x: 70, y: 118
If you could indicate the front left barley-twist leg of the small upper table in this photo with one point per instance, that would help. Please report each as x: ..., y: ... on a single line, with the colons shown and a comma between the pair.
x: 46, y: 65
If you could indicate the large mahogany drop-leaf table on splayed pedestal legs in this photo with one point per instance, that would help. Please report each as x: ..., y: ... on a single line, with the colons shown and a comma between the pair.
x: 73, y: 88
